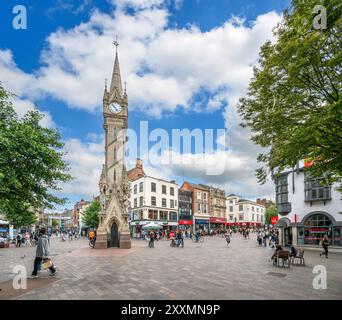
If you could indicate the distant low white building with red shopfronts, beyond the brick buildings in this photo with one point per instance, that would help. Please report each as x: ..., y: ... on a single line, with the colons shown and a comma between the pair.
x: 244, y: 213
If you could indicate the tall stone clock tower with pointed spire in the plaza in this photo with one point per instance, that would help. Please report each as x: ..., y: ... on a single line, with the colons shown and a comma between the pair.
x: 113, y: 230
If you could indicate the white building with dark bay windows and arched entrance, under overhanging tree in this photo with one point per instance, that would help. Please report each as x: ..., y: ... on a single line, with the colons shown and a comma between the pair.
x: 307, y: 209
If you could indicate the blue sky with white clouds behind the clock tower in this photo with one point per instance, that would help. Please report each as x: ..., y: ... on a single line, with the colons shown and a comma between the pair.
x: 186, y: 64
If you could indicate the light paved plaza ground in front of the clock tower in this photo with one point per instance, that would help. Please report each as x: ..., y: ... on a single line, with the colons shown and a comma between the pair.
x: 208, y: 270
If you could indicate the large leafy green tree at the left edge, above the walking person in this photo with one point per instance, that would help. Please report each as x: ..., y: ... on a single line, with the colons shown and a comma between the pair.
x: 31, y: 164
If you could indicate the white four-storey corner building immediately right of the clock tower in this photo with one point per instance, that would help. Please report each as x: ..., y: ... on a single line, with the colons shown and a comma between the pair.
x: 153, y: 199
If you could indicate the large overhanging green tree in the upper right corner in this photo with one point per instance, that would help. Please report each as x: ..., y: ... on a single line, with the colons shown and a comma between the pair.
x: 293, y: 104
